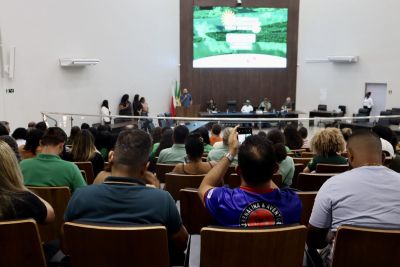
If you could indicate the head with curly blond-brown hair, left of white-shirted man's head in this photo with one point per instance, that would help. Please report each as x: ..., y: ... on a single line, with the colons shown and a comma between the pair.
x: 327, y: 142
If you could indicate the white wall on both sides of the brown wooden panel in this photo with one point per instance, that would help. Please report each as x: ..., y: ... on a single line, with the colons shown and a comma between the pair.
x: 138, y: 45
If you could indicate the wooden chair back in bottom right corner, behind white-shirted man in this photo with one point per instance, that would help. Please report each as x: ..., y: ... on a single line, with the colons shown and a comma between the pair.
x: 359, y: 246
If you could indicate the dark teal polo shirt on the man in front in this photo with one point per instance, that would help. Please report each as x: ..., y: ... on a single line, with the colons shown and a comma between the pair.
x: 121, y: 200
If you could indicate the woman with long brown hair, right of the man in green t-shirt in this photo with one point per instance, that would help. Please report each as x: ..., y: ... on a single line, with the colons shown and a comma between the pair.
x: 83, y: 150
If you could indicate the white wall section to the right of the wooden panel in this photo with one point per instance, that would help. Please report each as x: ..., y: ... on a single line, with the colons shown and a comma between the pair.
x: 365, y: 28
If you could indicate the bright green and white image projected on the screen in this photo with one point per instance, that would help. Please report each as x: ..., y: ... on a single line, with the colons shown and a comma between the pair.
x: 239, y: 37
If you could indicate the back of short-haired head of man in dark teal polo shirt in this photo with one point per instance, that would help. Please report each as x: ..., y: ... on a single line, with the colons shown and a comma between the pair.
x: 132, y: 149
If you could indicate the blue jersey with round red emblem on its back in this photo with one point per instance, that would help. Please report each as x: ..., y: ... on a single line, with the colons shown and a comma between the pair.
x: 244, y: 207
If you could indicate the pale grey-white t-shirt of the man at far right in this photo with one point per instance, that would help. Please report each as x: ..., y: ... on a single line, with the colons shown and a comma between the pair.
x: 365, y: 196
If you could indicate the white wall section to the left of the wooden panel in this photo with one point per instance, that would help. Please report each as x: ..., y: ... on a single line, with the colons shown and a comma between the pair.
x: 136, y: 41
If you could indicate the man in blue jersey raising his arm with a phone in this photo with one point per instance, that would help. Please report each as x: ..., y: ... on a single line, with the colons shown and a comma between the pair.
x: 257, y: 202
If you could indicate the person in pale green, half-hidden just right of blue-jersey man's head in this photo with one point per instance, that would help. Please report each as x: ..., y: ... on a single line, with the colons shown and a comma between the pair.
x: 286, y: 163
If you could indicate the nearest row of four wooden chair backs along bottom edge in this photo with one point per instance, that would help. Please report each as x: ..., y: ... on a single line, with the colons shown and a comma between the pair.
x: 92, y: 245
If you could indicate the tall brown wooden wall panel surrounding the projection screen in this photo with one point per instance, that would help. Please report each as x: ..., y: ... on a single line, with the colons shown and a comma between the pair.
x: 238, y: 84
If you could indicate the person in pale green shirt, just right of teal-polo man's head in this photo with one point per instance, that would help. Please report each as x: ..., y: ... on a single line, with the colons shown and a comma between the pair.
x: 176, y: 153
